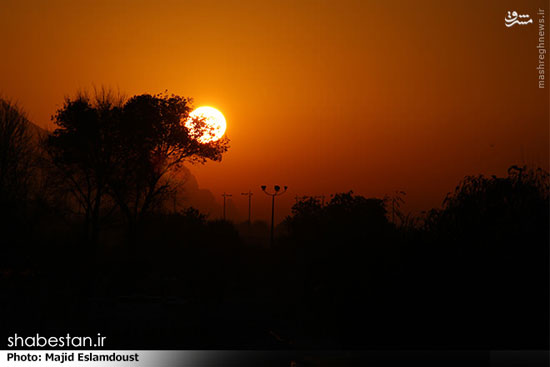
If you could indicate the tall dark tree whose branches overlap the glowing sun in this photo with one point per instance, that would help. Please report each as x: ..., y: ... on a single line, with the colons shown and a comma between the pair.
x: 151, y: 143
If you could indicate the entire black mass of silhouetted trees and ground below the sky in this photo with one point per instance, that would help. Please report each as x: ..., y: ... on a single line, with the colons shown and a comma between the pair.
x: 347, y: 273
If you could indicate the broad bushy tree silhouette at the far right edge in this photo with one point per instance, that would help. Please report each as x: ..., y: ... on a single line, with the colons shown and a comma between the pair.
x: 480, y: 205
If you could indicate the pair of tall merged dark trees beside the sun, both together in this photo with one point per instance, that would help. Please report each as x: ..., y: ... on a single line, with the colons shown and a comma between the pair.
x: 125, y: 150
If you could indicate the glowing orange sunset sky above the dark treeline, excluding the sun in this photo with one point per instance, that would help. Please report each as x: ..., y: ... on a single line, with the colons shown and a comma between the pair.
x: 322, y: 96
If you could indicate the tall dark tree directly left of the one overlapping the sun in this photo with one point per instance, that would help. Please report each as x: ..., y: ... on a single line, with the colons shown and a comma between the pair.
x: 81, y: 149
